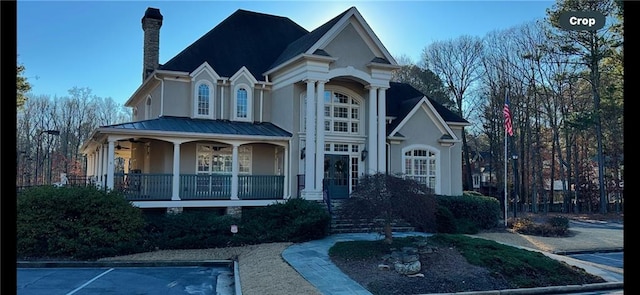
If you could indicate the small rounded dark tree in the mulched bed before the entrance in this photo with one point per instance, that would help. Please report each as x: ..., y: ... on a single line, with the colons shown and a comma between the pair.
x: 388, y: 198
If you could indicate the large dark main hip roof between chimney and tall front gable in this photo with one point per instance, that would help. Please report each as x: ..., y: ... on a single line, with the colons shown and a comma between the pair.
x: 262, y: 37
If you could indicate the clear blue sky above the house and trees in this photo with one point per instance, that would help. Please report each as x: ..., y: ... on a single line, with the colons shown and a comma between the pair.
x: 98, y: 44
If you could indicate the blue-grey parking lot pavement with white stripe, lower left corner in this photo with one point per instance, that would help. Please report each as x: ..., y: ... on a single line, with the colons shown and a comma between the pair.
x: 125, y: 280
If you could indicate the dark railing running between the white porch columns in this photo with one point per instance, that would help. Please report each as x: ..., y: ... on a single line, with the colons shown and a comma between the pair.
x: 159, y: 187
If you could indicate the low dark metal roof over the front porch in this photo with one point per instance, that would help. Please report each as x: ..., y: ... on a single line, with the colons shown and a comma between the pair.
x: 189, y: 125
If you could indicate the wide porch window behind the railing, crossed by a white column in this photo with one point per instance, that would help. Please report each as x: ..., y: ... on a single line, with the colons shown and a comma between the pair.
x: 218, y: 159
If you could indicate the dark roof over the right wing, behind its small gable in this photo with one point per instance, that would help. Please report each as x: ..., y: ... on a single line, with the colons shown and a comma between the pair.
x: 401, y: 98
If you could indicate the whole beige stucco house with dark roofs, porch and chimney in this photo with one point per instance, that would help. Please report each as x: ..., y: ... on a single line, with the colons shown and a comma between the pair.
x: 260, y: 110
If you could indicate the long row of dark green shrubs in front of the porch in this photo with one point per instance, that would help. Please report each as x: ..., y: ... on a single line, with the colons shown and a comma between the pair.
x: 80, y: 223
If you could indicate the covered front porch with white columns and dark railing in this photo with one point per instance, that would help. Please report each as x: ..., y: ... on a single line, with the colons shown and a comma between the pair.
x: 192, y: 169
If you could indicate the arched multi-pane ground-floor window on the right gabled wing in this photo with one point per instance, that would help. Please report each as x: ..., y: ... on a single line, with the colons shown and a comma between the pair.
x: 420, y: 164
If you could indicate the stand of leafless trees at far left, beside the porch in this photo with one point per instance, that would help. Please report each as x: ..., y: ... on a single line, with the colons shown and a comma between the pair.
x: 50, y: 131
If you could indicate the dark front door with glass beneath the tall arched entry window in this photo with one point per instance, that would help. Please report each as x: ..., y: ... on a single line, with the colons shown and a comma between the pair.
x: 336, y: 176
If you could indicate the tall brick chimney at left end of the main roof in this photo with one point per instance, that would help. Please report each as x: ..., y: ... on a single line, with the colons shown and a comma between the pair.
x: 151, y: 23
